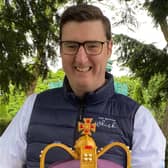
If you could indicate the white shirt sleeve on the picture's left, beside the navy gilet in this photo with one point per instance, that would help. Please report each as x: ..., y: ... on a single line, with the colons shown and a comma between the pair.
x: 13, y: 140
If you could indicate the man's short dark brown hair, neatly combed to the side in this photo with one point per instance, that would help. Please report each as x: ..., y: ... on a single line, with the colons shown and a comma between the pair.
x: 84, y: 12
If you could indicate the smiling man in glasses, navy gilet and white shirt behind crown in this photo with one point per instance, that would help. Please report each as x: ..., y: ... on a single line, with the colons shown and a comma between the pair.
x: 88, y: 91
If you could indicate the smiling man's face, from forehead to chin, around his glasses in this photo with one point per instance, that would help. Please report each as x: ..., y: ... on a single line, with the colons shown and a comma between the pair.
x: 85, y: 72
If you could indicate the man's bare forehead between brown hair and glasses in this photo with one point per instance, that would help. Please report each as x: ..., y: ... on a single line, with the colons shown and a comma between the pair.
x: 83, y: 31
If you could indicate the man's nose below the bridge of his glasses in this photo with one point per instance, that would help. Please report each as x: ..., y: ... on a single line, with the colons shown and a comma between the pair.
x: 81, y: 56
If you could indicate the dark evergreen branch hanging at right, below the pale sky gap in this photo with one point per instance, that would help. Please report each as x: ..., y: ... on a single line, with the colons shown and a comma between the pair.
x: 145, y: 60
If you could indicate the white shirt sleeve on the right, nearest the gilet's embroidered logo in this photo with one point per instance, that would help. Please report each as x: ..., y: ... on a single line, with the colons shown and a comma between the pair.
x: 149, y: 143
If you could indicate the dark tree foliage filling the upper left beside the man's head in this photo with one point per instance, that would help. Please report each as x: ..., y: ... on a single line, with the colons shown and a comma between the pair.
x: 29, y: 34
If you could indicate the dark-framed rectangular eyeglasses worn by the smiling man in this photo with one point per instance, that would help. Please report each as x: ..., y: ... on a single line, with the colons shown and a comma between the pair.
x: 91, y: 47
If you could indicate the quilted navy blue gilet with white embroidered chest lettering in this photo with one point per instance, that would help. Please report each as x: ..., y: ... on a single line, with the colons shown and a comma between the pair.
x: 56, y: 113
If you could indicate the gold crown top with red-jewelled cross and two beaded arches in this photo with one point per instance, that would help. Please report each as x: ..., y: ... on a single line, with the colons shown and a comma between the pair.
x: 85, y: 148
